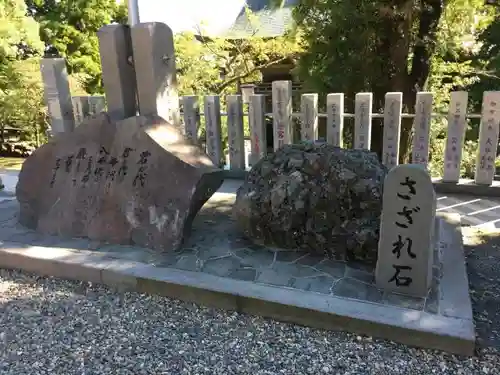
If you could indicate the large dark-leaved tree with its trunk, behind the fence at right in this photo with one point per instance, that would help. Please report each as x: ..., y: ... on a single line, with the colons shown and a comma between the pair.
x: 387, y: 45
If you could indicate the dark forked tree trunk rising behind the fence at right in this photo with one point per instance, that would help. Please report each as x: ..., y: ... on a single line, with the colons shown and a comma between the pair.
x: 395, y: 48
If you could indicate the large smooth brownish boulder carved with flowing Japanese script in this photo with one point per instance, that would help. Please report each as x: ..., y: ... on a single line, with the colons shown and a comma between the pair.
x: 136, y: 181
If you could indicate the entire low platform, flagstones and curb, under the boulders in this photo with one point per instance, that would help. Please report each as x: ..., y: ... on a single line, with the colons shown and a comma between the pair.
x: 218, y: 267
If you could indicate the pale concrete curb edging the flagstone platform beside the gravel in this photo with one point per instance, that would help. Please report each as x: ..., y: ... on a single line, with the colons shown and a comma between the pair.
x: 452, y: 332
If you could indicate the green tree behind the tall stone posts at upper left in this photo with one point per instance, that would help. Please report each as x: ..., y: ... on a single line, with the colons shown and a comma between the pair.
x: 69, y: 29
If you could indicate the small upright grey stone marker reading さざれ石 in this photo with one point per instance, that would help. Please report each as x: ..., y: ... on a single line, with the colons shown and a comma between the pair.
x: 405, y: 251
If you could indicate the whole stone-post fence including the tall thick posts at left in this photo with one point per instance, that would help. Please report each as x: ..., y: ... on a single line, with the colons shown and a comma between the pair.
x: 139, y: 76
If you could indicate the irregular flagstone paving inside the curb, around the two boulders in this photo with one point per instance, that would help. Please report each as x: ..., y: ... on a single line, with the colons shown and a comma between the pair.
x: 216, y: 247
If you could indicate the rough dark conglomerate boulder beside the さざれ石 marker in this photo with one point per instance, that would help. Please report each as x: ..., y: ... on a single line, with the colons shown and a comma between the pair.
x: 315, y: 197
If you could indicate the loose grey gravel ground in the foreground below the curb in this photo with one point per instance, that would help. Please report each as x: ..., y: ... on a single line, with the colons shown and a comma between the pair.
x: 49, y: 326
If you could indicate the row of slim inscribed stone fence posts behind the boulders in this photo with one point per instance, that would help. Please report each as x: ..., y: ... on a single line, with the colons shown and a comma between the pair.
x: 283, y: 119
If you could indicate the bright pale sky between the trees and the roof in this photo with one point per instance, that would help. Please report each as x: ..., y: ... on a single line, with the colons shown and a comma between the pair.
x: 212, y: 16
